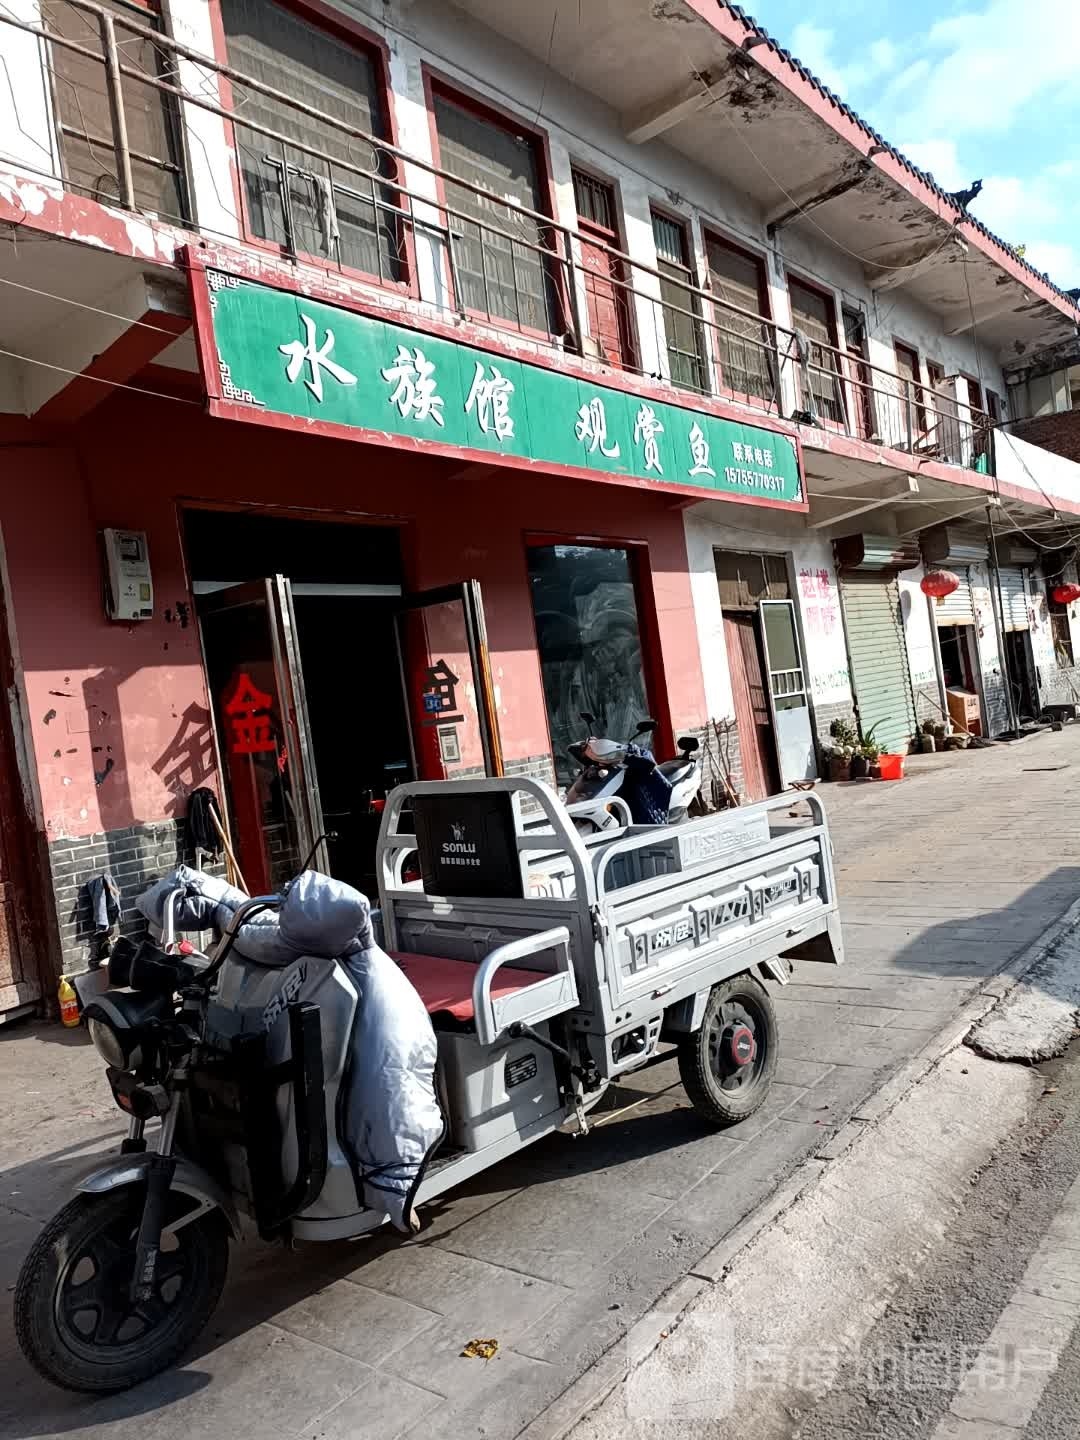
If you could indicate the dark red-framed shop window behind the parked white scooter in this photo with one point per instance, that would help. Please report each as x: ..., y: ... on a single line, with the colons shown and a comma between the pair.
x: 590, y: 640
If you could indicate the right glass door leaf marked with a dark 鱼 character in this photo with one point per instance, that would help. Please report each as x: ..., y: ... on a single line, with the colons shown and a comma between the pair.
x: 450, y: 695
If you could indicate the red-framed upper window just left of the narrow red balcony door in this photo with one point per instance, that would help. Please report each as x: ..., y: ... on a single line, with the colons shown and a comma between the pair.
x: 503, y: 261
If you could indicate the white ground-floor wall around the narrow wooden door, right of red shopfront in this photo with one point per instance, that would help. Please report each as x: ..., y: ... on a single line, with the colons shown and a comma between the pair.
x: 714, y: 526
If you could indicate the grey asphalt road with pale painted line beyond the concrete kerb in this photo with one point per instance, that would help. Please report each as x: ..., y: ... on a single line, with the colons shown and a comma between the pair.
x: 986, y: 1343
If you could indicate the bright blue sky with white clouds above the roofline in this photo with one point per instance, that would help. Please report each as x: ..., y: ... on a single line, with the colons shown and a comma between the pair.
x: 968, y: 90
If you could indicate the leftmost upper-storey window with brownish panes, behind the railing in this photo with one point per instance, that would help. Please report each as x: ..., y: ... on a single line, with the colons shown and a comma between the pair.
x: 84, y: 119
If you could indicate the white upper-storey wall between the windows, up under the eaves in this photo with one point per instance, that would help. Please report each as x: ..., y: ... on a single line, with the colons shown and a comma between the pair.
x: 580, y: 129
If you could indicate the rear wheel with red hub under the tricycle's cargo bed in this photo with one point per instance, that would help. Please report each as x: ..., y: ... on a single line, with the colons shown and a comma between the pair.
x: 728, y: 1065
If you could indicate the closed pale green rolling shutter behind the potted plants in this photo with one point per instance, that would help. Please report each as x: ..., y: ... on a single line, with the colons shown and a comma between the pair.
x: 881, y: 676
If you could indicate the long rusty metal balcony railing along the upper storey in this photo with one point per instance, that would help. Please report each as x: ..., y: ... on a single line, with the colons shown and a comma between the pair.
x: 351, y: 201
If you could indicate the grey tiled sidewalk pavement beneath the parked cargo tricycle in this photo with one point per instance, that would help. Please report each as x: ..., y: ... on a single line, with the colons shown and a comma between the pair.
x: 945, y: 878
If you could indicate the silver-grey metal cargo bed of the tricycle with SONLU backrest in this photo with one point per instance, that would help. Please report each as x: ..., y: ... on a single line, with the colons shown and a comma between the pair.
x: 653, y: 918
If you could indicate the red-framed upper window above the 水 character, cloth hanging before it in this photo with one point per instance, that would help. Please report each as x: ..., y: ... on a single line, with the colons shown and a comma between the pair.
x: 325, y: 194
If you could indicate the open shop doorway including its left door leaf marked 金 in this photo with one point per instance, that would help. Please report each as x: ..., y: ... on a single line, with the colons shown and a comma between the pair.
x: 306, y: 686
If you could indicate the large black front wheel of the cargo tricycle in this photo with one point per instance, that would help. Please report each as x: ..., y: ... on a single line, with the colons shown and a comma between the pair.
x: 74, y: 1317
